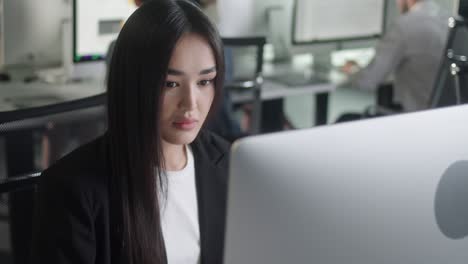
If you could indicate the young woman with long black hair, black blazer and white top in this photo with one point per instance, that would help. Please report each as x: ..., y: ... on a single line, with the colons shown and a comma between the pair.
x: 153, y: 188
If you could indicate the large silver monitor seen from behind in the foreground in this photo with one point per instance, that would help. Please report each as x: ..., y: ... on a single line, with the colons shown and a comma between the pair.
x: 387, y: 190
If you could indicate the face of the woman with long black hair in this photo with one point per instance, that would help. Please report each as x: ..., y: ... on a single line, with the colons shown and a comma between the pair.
x: 188, y: 91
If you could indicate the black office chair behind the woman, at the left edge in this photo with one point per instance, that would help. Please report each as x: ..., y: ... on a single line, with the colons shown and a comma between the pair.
x: 63, y: 126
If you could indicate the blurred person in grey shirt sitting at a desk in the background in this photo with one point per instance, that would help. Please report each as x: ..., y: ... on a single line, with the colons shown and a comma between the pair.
x: 411, y: 50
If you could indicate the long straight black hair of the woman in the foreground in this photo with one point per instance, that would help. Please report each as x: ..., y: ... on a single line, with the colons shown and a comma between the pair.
x: 136, y: 76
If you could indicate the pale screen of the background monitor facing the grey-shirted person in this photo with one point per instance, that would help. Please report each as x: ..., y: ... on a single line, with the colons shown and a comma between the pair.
x: 333, y: 20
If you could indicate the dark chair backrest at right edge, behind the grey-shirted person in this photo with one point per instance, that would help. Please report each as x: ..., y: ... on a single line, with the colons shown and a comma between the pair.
x: 444, y: 91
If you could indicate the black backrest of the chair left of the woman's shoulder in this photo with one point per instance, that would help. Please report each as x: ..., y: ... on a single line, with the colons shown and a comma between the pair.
x: 51, y: 131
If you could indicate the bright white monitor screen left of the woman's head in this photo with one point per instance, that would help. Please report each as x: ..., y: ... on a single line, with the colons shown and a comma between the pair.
x: 96, y: 24
